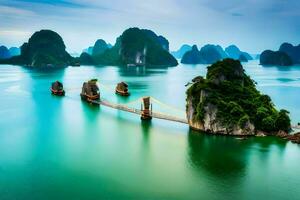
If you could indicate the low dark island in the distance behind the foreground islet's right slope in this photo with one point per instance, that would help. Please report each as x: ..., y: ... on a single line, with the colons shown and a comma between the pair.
x: 279, y: 58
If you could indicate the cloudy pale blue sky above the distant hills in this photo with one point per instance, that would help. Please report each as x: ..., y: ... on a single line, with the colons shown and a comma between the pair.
x: 253, y: 25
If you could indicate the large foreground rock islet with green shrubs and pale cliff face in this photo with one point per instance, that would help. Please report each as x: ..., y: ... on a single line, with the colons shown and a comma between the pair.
x: 227, y: 102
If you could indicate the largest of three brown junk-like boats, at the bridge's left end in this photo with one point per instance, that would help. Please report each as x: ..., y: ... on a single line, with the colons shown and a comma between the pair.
x: 90, y: 91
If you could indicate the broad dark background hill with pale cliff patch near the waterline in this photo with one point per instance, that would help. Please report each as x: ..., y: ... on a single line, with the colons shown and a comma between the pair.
x: 138, y: 47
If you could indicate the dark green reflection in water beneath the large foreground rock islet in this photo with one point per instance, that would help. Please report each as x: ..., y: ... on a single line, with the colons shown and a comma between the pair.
x: 228, y: 157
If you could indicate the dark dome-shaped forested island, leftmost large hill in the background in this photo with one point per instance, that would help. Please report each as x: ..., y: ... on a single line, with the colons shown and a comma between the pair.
x: 44, y: 48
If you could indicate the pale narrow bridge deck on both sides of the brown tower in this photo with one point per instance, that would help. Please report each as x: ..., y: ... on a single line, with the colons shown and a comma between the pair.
x: 139, y: 112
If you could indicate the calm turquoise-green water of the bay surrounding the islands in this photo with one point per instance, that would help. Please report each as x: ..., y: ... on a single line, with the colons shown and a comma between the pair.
x: 62, y: 148
